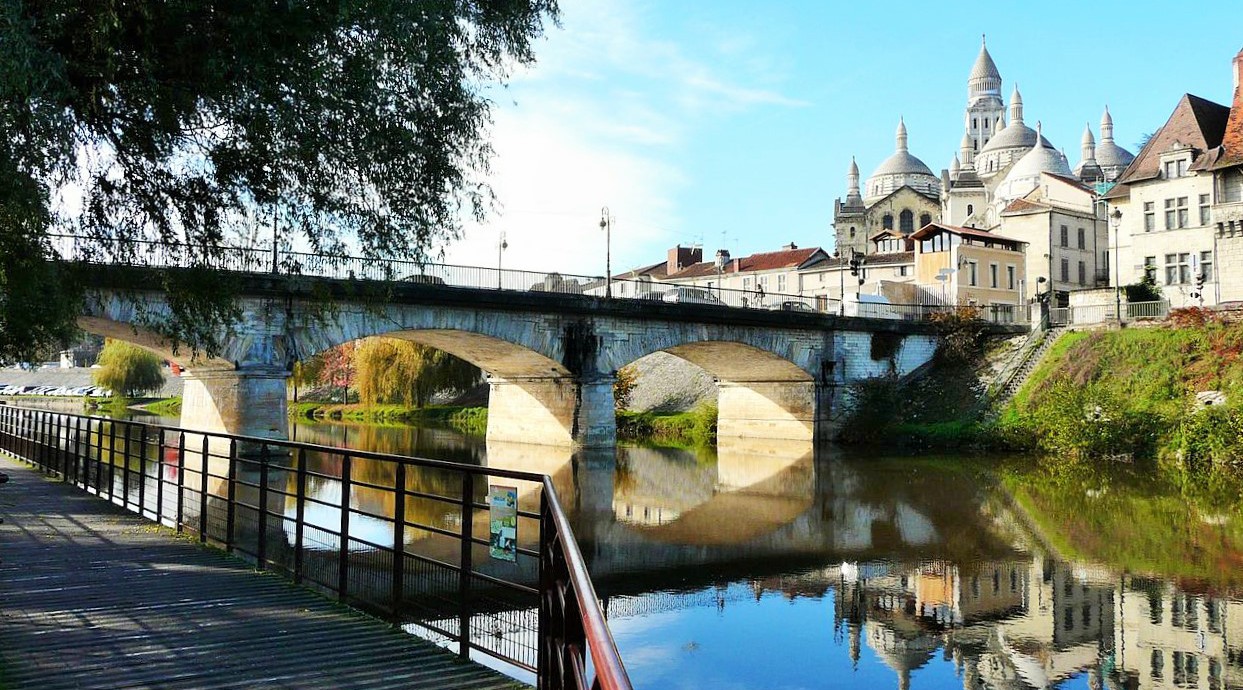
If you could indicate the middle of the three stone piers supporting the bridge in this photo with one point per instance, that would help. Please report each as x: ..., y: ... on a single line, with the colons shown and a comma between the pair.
x: 556, y: 411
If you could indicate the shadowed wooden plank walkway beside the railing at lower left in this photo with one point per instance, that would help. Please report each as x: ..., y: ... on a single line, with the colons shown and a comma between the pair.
x: 95, y: 597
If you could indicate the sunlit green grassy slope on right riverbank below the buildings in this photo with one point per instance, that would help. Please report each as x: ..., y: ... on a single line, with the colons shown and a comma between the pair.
x: 1132, y: 393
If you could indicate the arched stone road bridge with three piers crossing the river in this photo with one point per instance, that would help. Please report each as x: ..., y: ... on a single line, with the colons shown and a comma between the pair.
x: 551, y: 360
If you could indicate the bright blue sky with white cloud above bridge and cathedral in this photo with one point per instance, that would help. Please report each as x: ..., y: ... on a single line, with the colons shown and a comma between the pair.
x: 733, y: 124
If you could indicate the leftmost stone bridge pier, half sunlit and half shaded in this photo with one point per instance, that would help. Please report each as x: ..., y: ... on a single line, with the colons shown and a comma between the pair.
x: 249, y: 401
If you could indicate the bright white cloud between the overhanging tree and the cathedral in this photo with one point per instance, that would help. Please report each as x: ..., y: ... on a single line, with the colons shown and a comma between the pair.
x: 603, y: 119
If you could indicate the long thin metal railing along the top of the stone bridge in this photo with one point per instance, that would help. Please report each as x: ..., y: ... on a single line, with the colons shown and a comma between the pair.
x: 248, y: 260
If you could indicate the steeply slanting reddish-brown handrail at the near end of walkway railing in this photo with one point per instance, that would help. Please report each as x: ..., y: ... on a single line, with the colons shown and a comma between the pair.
x: 610, y: 672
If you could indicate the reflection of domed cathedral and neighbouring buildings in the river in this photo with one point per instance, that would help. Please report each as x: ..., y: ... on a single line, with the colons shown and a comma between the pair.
x: 1037, y: 625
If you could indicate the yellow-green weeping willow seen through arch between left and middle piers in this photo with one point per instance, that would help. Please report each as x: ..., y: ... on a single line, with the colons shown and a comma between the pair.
x: 401, y: 372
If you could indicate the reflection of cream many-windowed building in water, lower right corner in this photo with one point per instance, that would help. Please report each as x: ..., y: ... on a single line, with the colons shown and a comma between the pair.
x: 1169, y: 638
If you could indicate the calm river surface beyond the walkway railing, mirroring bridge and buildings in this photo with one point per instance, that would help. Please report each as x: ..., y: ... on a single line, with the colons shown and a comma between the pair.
x: 780, y: 566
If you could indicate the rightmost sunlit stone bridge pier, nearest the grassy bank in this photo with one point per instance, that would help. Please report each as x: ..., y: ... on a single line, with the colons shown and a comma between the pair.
x: 774, y: 410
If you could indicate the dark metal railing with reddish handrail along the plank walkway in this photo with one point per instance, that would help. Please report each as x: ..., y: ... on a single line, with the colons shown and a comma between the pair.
x: 413, y: 541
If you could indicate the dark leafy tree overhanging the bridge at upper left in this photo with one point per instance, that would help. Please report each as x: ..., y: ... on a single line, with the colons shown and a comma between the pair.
x: 198, y: 121
